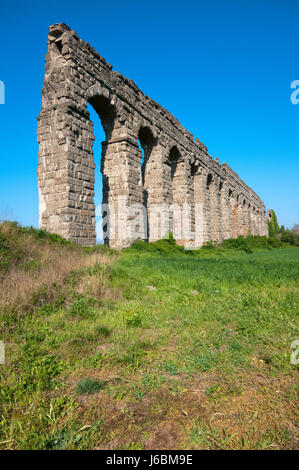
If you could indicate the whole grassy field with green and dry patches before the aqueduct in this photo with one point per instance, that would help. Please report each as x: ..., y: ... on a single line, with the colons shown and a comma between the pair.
x: 151, y: 348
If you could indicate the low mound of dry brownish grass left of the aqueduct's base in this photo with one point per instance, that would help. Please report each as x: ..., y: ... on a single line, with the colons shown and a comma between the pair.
x: 36, y: 267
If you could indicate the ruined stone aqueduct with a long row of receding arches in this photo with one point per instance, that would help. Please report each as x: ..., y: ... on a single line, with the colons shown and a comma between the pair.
x: 173, y: 185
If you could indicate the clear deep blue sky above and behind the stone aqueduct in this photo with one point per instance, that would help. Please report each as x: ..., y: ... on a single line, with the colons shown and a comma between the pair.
x: 223, y: 68
